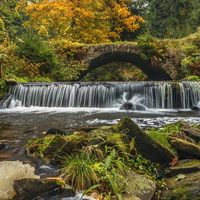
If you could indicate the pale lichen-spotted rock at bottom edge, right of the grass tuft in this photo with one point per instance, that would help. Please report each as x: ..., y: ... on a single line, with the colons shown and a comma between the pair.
x: 139, y: 186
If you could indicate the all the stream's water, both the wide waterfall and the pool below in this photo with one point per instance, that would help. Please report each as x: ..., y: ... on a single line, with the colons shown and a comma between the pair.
x: 33, y: 108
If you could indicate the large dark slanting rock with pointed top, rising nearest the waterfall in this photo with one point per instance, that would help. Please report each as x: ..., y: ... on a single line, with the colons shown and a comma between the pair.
x: 144, y: 144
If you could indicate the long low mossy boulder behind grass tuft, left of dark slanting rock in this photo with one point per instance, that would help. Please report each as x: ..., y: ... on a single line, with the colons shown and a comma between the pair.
x: 54, y: 147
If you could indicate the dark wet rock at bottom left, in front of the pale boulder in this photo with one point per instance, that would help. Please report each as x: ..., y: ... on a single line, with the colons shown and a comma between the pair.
x: 30, y: 188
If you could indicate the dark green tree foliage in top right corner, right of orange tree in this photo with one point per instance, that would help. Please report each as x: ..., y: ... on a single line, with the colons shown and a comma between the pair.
x: 171, y: 18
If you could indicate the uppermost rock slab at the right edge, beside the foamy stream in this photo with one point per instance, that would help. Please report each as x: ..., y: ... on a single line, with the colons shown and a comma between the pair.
x: 192, y: 132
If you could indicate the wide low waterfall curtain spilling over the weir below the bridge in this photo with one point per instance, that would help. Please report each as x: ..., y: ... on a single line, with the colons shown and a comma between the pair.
x: 158, y: 95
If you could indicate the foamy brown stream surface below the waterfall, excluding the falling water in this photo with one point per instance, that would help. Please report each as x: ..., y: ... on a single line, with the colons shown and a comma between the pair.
x: 19, y: 124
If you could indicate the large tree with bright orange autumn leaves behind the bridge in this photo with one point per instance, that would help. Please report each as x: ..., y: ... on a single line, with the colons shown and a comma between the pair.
x: 88, y: 21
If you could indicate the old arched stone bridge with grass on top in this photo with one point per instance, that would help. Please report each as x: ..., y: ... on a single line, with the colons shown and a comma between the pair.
x: 156, y: 70
